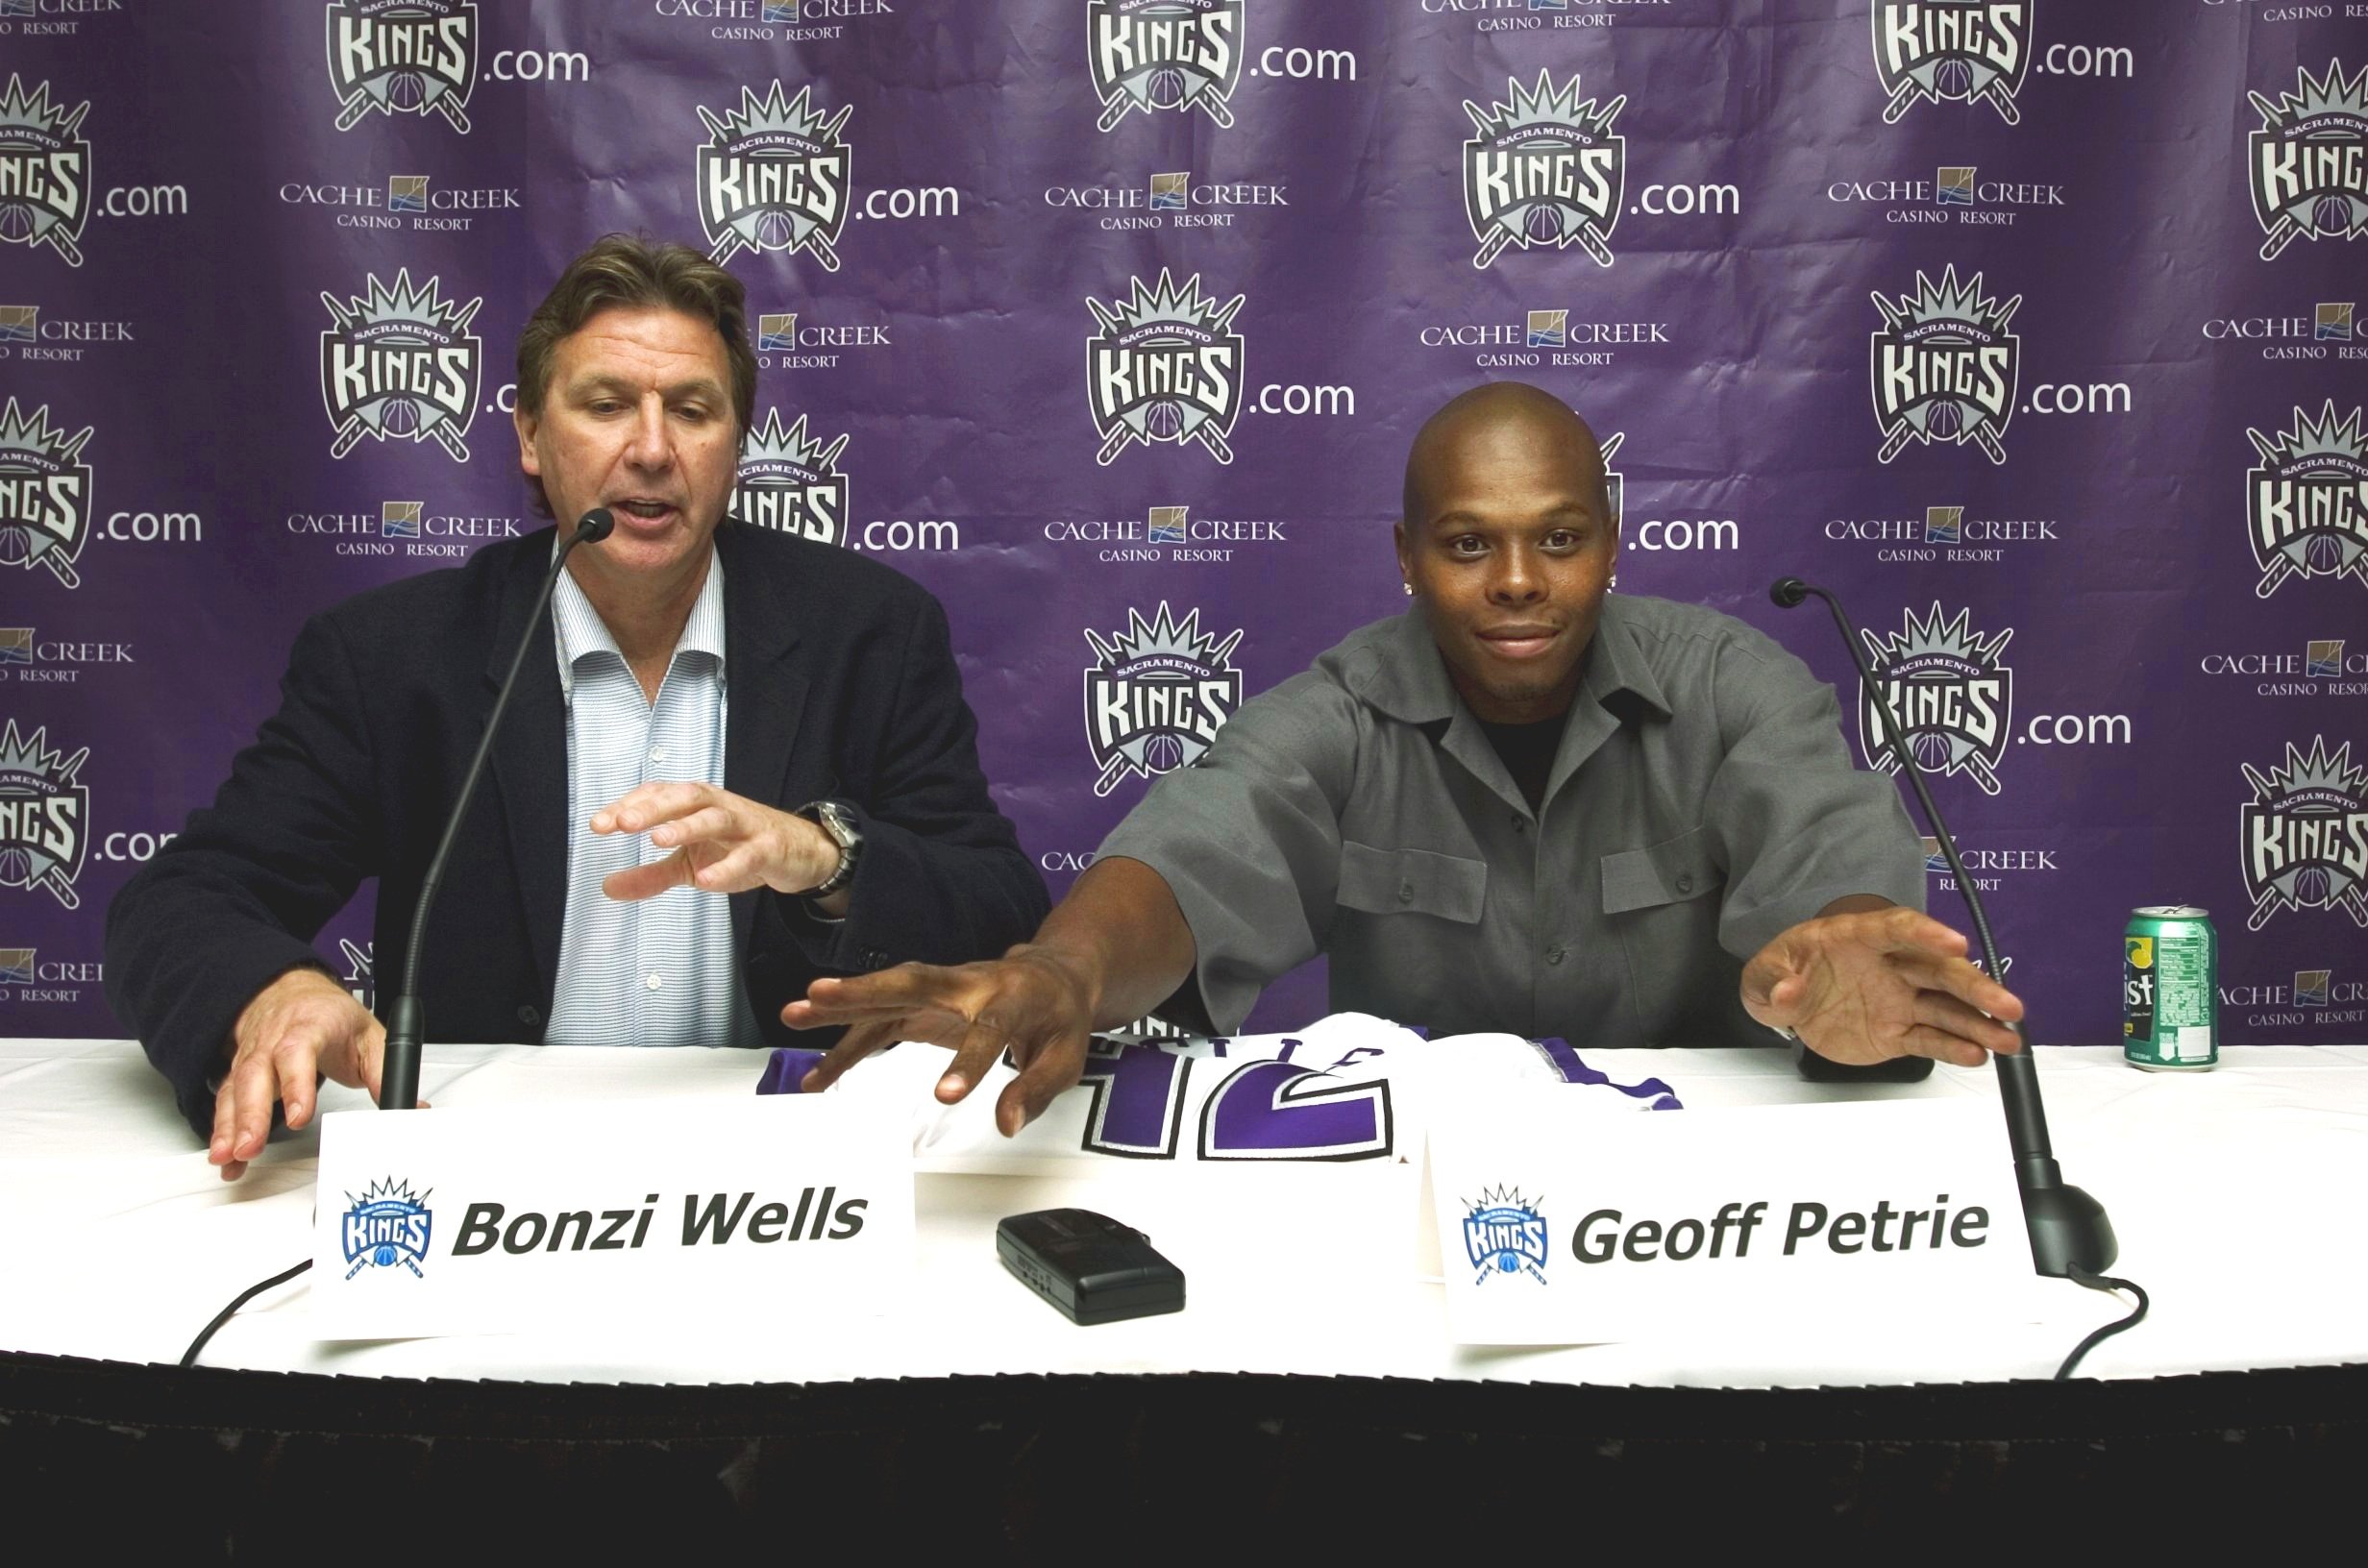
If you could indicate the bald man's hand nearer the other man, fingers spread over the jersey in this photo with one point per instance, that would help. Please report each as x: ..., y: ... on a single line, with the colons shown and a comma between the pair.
x: 1034, y: 1003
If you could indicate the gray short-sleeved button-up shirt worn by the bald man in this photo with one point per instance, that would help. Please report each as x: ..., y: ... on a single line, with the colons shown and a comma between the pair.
x: 1701, y: 802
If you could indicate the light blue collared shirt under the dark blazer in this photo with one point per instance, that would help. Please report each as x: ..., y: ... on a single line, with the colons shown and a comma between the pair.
x: 662, y: 970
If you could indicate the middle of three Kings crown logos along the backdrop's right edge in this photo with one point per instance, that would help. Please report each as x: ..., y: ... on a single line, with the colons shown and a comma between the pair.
x: 2308, y: 501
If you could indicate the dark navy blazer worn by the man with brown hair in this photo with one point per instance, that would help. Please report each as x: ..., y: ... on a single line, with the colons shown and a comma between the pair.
x: 844, y: 688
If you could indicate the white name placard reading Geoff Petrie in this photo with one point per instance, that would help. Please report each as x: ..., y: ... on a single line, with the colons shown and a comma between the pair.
x: 1562, y: 1226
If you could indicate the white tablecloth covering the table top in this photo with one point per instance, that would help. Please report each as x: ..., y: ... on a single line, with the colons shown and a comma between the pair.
x: 2232, y: 1195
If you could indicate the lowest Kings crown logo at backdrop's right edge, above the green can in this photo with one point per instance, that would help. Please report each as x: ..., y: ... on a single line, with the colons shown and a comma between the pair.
x: 2308, y: 835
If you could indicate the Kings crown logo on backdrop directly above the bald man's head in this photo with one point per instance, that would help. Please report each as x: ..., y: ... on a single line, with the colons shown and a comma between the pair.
x: 1545, y: 169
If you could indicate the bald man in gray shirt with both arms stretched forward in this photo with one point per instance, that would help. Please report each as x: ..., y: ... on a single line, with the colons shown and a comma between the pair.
x: 1521, y: 807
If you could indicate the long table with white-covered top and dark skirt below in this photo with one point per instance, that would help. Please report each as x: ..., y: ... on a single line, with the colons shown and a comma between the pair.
x: 1341, y: 1415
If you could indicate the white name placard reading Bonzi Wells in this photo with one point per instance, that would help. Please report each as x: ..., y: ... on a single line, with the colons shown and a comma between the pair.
x: 496, y: 1221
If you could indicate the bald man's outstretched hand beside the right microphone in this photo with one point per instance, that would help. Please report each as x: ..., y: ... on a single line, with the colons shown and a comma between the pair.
x: 1870, y: 987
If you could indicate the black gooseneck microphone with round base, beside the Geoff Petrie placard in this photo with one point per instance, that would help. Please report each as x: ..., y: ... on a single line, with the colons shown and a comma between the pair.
x: 2066, y: 1226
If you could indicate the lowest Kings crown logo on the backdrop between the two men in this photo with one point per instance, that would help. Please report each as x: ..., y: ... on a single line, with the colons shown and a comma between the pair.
x: 1157, y: 695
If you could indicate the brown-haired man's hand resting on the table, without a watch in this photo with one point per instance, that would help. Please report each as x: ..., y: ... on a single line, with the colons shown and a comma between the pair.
x: 300, y: 1027
